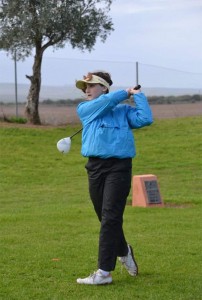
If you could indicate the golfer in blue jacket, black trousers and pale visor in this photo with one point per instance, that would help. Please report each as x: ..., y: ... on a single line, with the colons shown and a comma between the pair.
x: 108, y: 142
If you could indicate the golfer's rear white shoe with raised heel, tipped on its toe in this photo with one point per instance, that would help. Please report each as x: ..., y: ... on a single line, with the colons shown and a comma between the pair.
x: 129, y: 262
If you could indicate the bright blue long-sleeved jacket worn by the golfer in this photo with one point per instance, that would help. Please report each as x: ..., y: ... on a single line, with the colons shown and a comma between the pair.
x: 107, y: 125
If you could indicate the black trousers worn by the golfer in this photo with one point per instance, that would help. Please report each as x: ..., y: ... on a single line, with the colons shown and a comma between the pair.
x: 109, y: 186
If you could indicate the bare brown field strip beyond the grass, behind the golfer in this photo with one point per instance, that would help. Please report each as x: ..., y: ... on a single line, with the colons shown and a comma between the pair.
x: 61, y: 114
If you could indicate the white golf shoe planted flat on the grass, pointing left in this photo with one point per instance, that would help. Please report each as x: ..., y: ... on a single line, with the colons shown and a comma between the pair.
x: 96, y: 278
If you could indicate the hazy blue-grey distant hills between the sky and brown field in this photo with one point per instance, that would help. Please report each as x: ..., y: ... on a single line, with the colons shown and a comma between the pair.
x: 7, y: 92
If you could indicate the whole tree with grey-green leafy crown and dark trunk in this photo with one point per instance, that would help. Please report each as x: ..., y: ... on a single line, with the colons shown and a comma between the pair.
x: 38, y: 24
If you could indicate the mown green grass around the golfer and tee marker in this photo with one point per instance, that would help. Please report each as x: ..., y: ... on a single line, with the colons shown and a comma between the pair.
x: 49, y: 232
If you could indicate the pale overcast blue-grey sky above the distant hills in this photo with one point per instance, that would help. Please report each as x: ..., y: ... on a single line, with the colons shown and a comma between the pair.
x: 153, y: 32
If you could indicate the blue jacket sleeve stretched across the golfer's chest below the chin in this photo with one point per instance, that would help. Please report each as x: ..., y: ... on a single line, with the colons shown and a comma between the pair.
x: 90, y: 110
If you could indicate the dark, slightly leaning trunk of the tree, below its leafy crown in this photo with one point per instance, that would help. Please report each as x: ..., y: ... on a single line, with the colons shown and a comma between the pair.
x: 31, y: 108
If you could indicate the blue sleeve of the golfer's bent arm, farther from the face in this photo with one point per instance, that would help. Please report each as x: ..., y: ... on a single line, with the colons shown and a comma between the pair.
x: 141, y: 115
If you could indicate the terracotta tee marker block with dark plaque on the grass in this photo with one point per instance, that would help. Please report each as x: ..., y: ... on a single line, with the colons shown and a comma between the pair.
x: 145, y: 191
